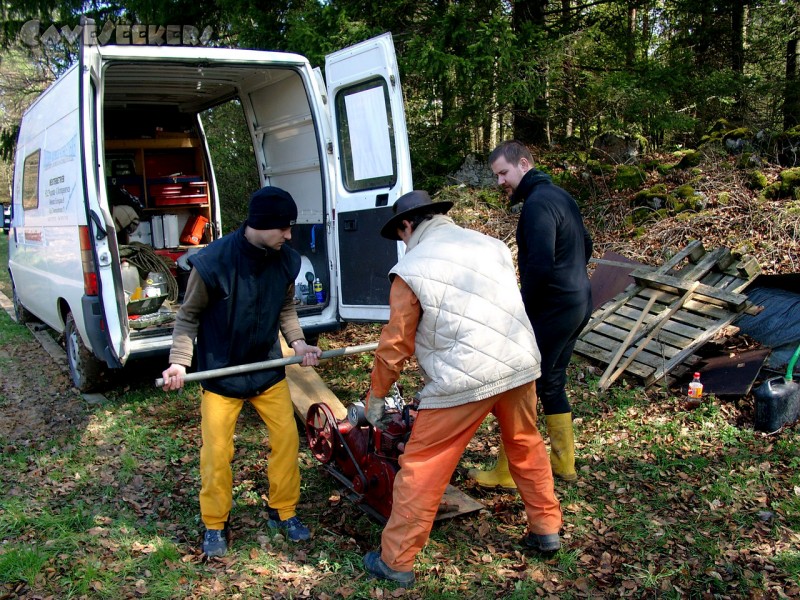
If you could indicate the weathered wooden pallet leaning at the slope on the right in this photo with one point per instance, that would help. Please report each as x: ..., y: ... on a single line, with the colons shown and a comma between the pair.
x: 658, y: 322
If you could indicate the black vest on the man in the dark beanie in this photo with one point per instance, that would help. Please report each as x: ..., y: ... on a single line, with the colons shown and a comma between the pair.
x: 246, y: 290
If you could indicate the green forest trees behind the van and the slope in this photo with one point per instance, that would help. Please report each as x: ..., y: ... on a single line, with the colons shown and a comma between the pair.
x: 554, y: 74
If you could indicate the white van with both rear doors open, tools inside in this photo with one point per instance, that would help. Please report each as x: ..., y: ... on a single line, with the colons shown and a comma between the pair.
x: 130, y: 117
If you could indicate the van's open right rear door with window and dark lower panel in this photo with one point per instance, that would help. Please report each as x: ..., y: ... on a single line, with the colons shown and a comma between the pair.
x: 373, y: 169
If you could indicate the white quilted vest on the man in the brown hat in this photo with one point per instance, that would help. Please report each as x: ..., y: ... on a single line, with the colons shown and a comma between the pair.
x: 474, y: 339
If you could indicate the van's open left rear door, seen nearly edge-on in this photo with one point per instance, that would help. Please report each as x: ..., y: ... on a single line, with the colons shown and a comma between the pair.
x: 114, y: 326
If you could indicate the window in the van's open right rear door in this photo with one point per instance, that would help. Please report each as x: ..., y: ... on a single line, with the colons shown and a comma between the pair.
x: 366, y: 136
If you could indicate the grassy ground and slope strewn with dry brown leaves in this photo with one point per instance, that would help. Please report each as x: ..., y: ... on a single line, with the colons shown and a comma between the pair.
x: 100, y: 500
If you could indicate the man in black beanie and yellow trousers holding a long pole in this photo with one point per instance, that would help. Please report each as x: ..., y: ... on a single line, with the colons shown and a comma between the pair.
x: 240, y: 294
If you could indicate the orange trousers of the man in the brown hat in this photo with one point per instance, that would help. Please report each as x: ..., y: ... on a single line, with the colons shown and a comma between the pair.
x: 437, y: 442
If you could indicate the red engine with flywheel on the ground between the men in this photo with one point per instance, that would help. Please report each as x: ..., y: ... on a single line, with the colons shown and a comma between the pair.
x: 361, y: 457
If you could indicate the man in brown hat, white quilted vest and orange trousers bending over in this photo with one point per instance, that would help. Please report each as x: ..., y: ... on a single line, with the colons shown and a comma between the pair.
x: 455, y: 304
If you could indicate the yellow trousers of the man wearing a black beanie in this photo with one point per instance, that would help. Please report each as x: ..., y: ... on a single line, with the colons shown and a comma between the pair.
x: 219, y: 415
